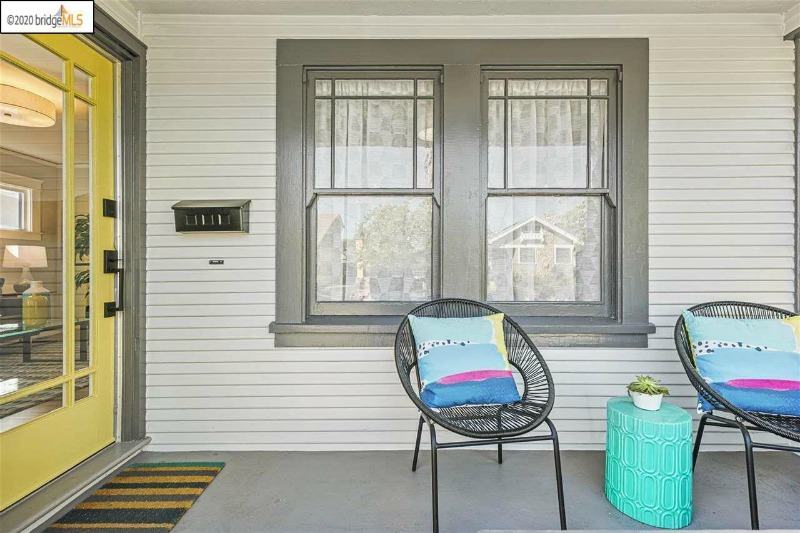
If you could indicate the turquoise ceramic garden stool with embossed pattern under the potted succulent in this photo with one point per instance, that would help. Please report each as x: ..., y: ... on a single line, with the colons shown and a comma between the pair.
x: 649, y: 463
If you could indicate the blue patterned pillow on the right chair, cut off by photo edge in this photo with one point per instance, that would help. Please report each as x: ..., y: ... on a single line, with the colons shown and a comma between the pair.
x: 754, y: 364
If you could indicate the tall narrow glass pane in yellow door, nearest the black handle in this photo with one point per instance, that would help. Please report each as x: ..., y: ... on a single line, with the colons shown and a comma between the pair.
x: 82, y: 202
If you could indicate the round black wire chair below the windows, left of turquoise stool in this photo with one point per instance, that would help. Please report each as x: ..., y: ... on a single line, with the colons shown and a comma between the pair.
x: 490, y: 424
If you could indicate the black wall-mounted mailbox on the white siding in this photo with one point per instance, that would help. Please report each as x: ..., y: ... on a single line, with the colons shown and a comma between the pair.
x: 231, y: 216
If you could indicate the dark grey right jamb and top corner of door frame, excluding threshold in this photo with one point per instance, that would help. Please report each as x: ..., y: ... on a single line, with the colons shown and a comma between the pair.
x: 131, y: 53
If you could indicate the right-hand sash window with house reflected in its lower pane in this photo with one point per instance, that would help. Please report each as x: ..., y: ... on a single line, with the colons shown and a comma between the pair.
x: 550, y: 145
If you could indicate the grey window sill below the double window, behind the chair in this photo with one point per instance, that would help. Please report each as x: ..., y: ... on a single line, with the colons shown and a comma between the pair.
x: 379, y: 331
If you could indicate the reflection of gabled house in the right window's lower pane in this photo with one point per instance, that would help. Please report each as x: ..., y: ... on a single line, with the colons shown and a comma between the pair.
x: 533, y: 260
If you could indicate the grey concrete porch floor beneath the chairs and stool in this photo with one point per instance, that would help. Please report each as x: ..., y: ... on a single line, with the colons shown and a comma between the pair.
x: 376, y: 491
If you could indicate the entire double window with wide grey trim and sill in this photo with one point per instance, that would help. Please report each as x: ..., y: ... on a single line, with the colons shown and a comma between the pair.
x: 411, y: 170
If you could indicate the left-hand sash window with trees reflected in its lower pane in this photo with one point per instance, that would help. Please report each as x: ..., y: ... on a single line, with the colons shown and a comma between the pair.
x: 372, y: 179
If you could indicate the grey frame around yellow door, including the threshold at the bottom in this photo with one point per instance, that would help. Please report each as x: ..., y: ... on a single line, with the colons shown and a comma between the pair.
x: 56, y: 497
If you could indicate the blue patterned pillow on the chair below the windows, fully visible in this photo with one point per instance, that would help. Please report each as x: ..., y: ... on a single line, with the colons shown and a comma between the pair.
x: 463, y: 361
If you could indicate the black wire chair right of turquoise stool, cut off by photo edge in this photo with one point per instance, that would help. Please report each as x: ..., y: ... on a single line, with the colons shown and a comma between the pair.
x: 787, y: 427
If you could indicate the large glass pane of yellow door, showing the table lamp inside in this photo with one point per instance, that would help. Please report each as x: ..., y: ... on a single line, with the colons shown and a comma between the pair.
x: 31, y: 151
